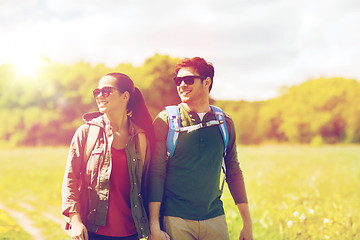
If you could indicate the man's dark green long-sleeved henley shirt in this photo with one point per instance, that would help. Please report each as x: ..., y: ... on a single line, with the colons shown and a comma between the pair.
x: 187, y: 184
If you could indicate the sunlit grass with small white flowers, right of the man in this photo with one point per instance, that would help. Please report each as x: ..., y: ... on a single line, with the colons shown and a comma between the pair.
x: 300, y: 192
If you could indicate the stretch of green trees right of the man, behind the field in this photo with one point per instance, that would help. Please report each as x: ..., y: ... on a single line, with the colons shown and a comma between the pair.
x: 318, y: 111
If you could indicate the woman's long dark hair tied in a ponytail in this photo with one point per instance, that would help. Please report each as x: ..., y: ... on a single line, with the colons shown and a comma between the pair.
x: 136, y: 107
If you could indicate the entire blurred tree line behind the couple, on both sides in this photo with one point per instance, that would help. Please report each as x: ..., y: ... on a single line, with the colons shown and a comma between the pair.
x: 47, y: 109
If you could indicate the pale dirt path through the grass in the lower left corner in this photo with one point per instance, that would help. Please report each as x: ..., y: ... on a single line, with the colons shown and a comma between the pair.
x: 24, y: 222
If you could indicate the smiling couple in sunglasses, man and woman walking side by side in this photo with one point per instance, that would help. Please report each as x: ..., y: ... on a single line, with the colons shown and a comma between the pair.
x: 118, y: 168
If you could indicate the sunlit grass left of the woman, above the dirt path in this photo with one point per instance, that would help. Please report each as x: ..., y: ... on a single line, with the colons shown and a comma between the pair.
x: 31, y: 182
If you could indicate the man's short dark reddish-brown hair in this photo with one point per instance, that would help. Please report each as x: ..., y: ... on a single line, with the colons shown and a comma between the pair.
x: 199, y: 64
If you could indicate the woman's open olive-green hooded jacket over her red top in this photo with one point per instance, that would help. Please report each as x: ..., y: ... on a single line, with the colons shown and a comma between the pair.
x: 86, y: 182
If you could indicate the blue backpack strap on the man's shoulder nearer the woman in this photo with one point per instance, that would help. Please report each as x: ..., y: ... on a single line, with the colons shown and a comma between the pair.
x: 174, y: 126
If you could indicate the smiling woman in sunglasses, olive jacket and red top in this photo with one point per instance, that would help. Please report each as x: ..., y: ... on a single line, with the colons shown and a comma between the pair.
x: 106, y: 173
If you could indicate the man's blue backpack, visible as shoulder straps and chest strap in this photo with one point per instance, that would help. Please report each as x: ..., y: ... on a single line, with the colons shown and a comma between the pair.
x: 175, y: 128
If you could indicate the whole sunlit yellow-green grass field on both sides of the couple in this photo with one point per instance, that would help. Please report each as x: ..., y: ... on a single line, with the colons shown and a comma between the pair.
x: 294, y: 192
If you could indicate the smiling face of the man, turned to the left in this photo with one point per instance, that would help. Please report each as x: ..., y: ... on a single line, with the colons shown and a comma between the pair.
x: 192, y: 92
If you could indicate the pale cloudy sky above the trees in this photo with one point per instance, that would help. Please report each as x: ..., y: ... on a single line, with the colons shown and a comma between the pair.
x: 256, y: 46
